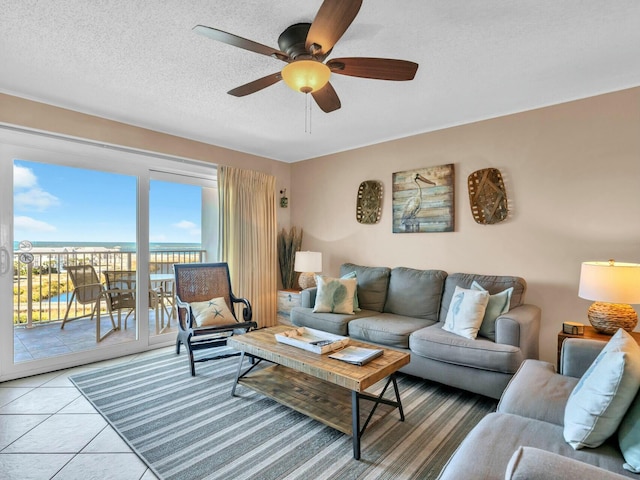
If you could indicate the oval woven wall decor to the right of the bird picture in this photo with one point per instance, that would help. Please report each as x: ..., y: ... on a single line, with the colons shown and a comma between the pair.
x: 487, y: 196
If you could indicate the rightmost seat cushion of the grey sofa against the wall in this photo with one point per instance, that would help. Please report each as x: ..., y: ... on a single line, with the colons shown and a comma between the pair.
x: 437, y: 344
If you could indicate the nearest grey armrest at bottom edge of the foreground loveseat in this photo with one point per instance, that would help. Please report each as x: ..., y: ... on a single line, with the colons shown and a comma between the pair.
x: 528, y: 463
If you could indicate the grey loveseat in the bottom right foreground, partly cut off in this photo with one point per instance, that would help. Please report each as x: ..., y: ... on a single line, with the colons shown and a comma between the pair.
x: 525, y: 438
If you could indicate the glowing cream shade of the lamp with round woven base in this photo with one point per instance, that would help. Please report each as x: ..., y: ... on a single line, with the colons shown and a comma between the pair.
x: 610, y: 282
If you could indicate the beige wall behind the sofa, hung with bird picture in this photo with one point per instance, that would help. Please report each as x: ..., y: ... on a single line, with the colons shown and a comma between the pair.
x: 572, y: 174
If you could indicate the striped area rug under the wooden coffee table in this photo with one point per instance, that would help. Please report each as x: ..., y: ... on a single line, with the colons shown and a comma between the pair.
x: 188, y: 428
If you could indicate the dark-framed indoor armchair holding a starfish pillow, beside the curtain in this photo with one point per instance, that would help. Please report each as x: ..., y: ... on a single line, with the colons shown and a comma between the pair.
x: 206, y: 313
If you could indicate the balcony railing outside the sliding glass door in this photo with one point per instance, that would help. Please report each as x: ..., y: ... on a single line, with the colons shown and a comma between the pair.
x: 42, y: 287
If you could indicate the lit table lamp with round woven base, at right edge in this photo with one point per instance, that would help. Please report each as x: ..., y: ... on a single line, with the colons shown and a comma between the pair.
x: 612, y: 286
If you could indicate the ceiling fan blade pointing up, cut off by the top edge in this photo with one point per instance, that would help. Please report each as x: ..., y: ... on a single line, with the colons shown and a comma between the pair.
x: 332, y: 20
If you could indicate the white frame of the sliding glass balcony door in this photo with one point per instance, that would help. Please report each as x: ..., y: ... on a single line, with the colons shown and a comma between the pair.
x: 17, y: 144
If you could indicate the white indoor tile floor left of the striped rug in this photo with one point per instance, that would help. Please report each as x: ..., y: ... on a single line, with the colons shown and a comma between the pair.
x: 48, y: 430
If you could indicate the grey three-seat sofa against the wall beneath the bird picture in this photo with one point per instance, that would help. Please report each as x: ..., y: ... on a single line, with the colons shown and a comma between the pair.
x: 405, y: 308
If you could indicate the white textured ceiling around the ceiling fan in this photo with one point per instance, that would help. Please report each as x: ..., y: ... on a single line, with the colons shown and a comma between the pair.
x: 138, y: 62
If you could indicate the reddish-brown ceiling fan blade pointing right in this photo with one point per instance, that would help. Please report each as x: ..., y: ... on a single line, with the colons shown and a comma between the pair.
x: 377, y: 68
